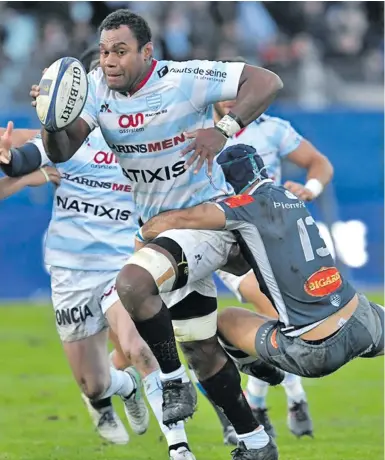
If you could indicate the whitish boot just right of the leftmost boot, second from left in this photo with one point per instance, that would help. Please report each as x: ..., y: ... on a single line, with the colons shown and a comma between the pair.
x: 135, y: 407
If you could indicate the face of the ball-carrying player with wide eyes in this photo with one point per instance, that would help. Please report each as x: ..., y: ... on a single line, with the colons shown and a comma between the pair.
x: 122, y: 62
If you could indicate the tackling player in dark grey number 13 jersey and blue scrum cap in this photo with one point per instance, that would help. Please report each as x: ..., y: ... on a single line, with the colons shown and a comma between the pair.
x: 323, y: 323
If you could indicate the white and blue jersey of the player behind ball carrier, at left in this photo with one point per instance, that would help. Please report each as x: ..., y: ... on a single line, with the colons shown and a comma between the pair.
x: 93, y: 221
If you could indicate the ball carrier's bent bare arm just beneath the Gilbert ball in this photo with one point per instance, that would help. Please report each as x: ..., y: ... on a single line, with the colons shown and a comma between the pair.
x: 64, y: 144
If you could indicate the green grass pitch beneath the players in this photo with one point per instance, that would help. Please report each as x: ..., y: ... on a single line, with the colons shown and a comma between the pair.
x: 42, y: 416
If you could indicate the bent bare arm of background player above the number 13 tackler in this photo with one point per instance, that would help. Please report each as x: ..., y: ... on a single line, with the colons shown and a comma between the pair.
x: 317, y: 165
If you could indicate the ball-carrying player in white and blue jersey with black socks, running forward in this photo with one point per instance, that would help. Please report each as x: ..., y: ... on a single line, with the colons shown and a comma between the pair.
x: 148, y: 111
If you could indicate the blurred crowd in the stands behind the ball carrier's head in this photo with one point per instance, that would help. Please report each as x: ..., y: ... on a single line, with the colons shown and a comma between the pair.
x: 325, y: 52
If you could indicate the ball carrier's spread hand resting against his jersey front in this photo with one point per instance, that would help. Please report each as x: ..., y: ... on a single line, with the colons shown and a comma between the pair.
x: 207, y: 144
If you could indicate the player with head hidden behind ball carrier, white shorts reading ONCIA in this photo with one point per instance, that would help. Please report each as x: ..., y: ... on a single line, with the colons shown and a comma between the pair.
x: 90, y: 236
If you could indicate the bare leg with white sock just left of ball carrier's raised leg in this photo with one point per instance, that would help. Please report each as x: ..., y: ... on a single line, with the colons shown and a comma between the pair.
x: 132, y: 350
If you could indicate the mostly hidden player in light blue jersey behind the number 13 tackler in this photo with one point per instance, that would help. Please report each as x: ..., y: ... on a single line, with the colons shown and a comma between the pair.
x: 275, y: 139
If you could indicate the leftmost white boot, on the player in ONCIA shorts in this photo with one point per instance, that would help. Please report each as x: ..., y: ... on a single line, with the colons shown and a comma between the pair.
x: 107, y: 423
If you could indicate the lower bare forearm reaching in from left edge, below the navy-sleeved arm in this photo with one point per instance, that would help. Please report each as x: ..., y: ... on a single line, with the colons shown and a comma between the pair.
x: 11, y: 185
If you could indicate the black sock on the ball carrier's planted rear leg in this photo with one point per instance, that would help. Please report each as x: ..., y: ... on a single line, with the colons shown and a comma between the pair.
x: 224, y: 388
